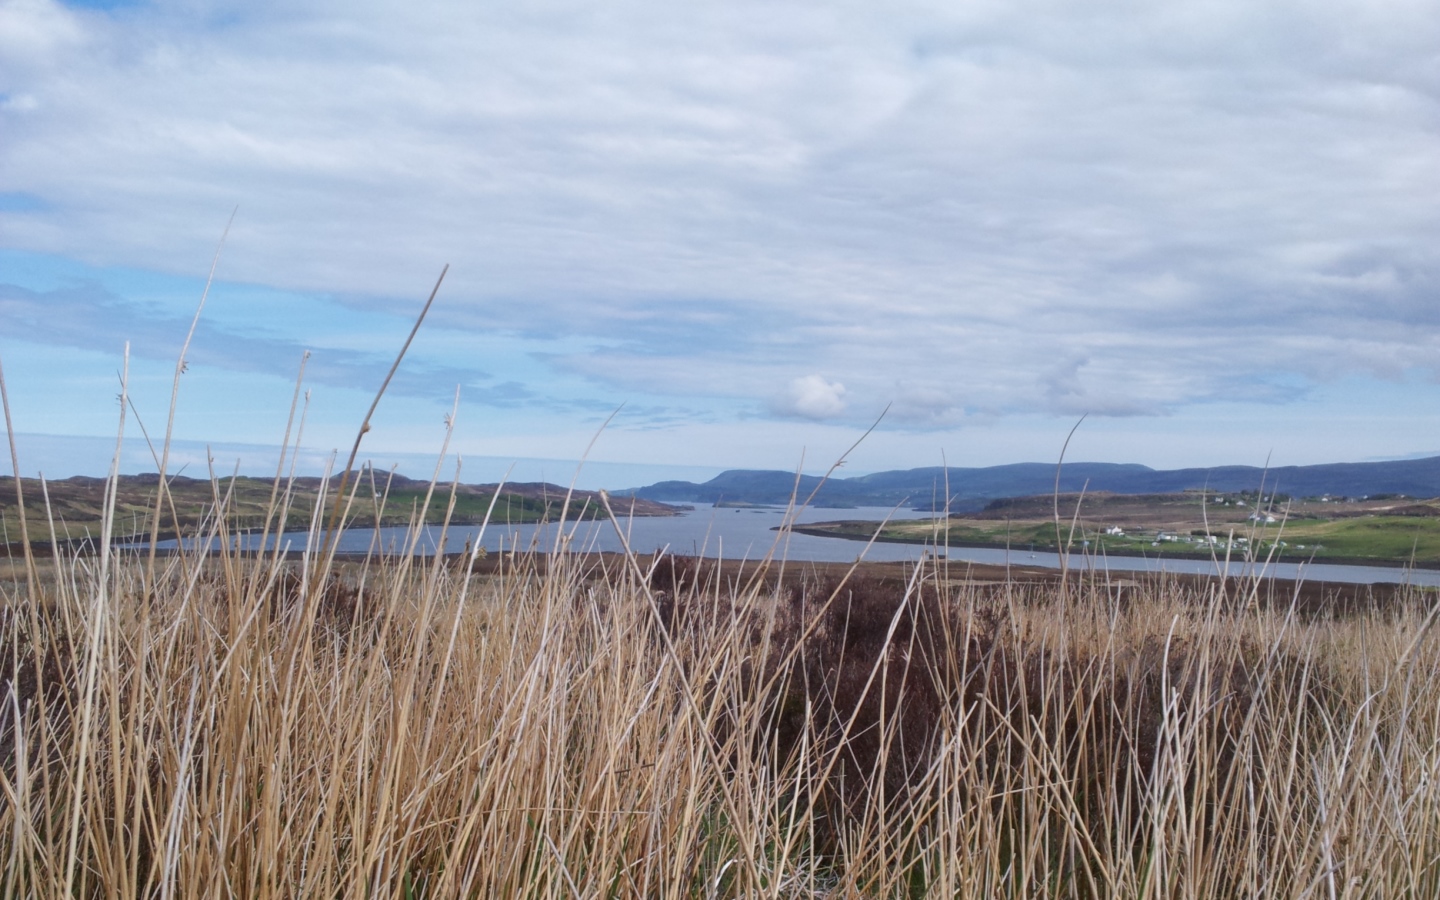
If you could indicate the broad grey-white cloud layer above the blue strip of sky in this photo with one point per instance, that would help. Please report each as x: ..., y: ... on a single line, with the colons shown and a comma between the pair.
x: 968, y: 211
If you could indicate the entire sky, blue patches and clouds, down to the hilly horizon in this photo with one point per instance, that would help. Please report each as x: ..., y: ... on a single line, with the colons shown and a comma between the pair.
x: 738, y: 233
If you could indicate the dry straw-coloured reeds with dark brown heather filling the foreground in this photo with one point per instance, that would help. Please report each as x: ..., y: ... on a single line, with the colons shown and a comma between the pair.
x: 243, y: 725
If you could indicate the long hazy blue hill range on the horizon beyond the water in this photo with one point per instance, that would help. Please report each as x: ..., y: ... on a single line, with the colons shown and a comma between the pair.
x: 970, y: 489
